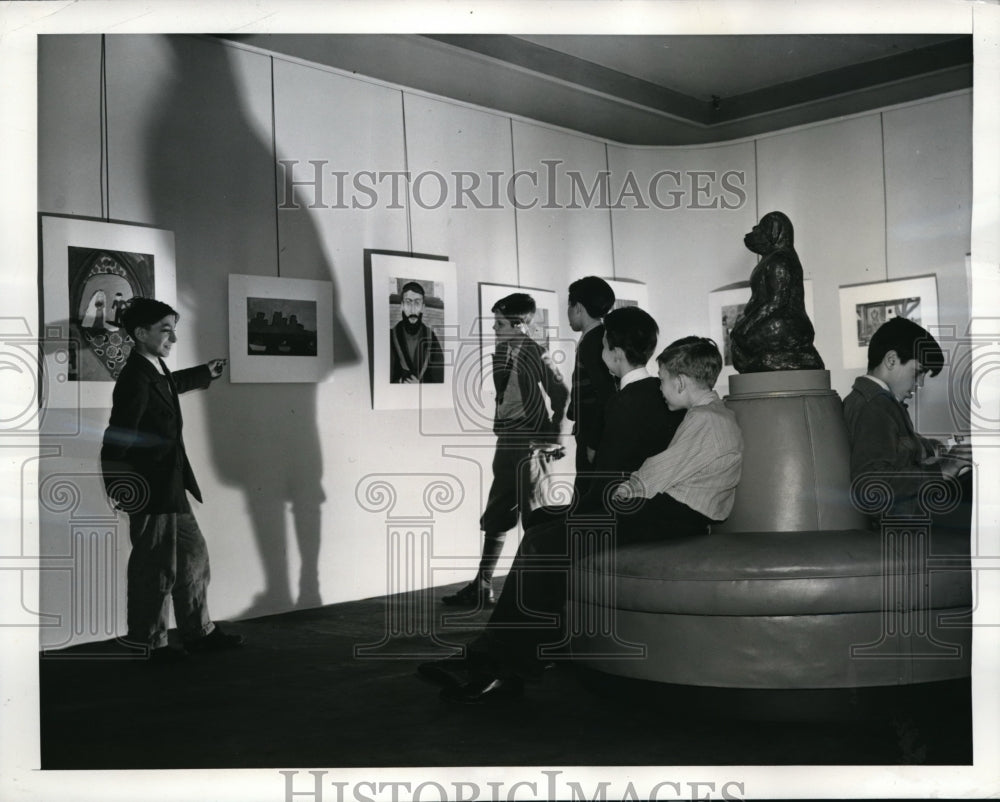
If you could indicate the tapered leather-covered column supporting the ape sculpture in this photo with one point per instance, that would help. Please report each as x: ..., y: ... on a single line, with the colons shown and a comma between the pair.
x: 796, y: 457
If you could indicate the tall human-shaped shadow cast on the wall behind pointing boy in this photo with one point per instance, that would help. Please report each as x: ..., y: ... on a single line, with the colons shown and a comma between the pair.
x: 210, y: 178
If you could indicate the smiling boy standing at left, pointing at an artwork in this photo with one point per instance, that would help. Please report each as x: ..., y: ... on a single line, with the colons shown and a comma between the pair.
x: 147, y: 474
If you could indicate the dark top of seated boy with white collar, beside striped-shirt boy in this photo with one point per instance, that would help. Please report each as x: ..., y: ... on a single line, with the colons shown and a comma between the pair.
x: 637, y: 424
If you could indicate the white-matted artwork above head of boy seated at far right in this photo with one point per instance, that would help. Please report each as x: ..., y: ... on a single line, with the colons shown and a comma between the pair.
x: 865, y: 307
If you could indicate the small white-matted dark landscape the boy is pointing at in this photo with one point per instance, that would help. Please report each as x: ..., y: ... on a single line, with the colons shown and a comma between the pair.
x: 280, y: 329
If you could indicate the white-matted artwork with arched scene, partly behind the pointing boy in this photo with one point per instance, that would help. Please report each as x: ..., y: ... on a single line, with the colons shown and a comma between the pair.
x: 91, y: 270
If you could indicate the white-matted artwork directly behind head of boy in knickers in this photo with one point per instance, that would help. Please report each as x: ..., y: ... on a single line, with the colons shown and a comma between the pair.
x: 544, y: 330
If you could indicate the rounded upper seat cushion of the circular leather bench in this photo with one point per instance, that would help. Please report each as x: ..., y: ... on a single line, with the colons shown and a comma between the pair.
x: 784, y: 573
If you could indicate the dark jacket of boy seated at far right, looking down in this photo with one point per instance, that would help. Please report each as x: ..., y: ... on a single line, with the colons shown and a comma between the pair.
x: 884, y: 442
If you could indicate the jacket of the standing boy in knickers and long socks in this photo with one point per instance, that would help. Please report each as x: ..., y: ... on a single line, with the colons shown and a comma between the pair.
x: 536, y: 376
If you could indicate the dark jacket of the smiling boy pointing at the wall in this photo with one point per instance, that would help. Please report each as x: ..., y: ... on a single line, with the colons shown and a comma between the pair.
x: 143, y: 460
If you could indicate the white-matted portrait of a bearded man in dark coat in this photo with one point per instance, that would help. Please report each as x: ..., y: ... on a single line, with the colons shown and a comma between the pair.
x: 388, y: 273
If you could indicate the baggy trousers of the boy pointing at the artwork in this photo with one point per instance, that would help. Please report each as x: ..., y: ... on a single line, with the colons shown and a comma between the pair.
x: 169, y: 559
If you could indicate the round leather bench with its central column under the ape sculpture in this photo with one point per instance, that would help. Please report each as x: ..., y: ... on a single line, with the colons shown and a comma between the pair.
x: 796, y: 590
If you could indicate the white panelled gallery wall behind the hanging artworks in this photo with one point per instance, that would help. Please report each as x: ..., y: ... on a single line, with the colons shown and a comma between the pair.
x: 194, y: 131
